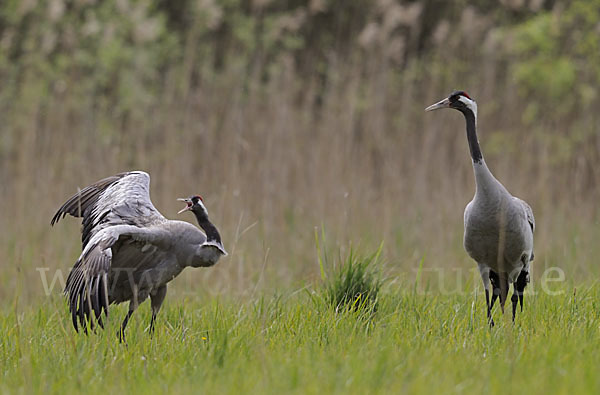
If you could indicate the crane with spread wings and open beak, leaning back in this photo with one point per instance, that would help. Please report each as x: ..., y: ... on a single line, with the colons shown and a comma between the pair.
x: 130, y: 251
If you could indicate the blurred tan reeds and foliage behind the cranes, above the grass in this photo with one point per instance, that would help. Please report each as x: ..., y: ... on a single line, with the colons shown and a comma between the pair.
x: 293, y: 115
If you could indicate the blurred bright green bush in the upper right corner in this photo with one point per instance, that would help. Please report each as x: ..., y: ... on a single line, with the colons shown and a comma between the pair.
x: 558, y: 60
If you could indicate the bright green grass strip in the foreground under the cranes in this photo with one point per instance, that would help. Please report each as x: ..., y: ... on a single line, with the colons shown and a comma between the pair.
x: 296, y: 342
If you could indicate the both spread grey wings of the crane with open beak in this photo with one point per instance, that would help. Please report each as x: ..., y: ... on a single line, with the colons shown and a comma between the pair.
x: 115, y: 208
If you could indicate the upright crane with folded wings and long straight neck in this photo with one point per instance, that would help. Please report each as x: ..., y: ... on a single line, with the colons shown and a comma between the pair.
x: 498, y: 226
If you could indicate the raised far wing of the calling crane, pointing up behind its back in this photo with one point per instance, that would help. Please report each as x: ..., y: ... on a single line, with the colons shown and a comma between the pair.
x: 123, y: 199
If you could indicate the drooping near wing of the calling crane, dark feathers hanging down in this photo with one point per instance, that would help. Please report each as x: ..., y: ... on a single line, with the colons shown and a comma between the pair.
x: 87, y: 286
